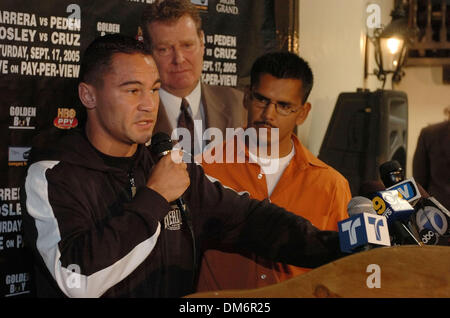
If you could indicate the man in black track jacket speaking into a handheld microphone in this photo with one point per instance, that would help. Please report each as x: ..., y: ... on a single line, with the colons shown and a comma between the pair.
x: 100, y: 212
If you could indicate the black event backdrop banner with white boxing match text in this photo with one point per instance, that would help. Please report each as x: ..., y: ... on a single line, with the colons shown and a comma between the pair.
x: 41, y: 45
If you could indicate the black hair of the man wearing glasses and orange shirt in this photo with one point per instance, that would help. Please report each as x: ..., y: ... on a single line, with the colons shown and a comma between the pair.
x: 283, y: 65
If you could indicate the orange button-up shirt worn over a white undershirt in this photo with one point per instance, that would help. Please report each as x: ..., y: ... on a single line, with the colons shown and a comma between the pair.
x: 307, y: 187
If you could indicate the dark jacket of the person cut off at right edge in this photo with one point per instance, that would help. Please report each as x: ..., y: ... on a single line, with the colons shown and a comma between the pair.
x: 431, y: 162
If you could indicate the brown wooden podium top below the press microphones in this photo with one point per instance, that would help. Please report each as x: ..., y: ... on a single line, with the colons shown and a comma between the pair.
x: 403, y: 271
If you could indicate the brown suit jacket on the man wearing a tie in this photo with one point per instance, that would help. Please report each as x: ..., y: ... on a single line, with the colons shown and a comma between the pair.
x: 223, y: 108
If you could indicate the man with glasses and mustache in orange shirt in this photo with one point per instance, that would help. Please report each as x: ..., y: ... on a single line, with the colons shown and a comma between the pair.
x: 291, y: 176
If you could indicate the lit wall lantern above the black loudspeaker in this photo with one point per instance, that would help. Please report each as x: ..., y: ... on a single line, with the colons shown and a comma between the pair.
x: 390, y: 46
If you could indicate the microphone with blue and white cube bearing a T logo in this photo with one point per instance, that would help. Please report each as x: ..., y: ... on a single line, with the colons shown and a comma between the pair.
x: 364, y: 229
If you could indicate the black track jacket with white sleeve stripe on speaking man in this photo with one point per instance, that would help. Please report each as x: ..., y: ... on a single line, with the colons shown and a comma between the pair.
x: 91, y: 238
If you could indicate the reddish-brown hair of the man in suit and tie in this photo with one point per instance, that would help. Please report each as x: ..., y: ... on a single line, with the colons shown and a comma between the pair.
x: 168, y: 11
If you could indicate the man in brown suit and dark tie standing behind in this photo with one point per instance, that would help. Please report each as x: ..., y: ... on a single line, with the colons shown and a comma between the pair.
x: 172, y: 30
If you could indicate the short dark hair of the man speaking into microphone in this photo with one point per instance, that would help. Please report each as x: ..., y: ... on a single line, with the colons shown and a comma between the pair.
x: 98, y: 55
